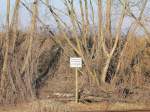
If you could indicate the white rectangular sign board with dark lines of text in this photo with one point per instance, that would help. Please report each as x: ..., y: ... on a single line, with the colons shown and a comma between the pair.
x: 75, y: 62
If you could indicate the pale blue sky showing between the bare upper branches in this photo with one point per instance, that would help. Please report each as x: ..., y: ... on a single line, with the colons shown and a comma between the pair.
x: 46, y: 17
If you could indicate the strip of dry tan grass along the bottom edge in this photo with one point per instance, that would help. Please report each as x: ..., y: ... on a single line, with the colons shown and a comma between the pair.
x: 53, y: 106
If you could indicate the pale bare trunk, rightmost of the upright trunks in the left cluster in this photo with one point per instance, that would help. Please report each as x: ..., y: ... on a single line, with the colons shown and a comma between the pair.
x: 28, y: 59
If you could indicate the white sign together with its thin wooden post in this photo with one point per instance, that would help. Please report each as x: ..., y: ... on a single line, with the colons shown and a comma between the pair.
x: 76, y: 63
